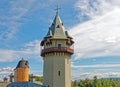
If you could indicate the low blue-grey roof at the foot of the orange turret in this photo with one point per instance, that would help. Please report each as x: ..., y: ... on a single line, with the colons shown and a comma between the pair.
x: 24, y: 84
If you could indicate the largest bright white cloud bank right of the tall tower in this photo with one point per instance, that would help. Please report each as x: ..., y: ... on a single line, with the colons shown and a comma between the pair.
x: 99, y: 36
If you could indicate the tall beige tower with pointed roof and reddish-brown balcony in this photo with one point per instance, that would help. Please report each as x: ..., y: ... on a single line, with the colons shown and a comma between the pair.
x: 56, y: 52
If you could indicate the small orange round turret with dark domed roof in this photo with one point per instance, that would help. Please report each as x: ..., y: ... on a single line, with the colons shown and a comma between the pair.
x: 21, y: 71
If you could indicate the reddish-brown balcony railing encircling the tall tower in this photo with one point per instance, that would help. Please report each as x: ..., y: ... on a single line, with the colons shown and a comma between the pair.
x: 56, y: 49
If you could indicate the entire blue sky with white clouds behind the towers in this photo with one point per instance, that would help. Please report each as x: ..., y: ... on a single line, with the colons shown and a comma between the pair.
x: 93, y: 24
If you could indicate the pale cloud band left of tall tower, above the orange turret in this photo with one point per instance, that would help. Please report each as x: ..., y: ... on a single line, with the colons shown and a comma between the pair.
x: 30, y: 49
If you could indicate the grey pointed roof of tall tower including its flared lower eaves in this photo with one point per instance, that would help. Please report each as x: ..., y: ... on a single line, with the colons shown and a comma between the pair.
x: 57, y: 31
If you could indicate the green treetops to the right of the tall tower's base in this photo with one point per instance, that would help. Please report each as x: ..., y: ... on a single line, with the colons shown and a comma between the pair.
x: 96, y: 83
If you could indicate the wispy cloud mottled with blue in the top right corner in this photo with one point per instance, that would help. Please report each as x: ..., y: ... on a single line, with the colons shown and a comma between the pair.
x: 94, y: 8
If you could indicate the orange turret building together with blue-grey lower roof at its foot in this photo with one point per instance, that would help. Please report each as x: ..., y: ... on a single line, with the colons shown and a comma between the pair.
x: 21, y: 76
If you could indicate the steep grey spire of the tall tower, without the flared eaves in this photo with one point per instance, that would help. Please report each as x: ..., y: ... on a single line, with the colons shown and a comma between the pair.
x: 57, y: 29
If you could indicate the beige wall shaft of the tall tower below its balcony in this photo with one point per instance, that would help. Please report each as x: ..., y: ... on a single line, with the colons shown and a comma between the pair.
x: 57, y: 70
